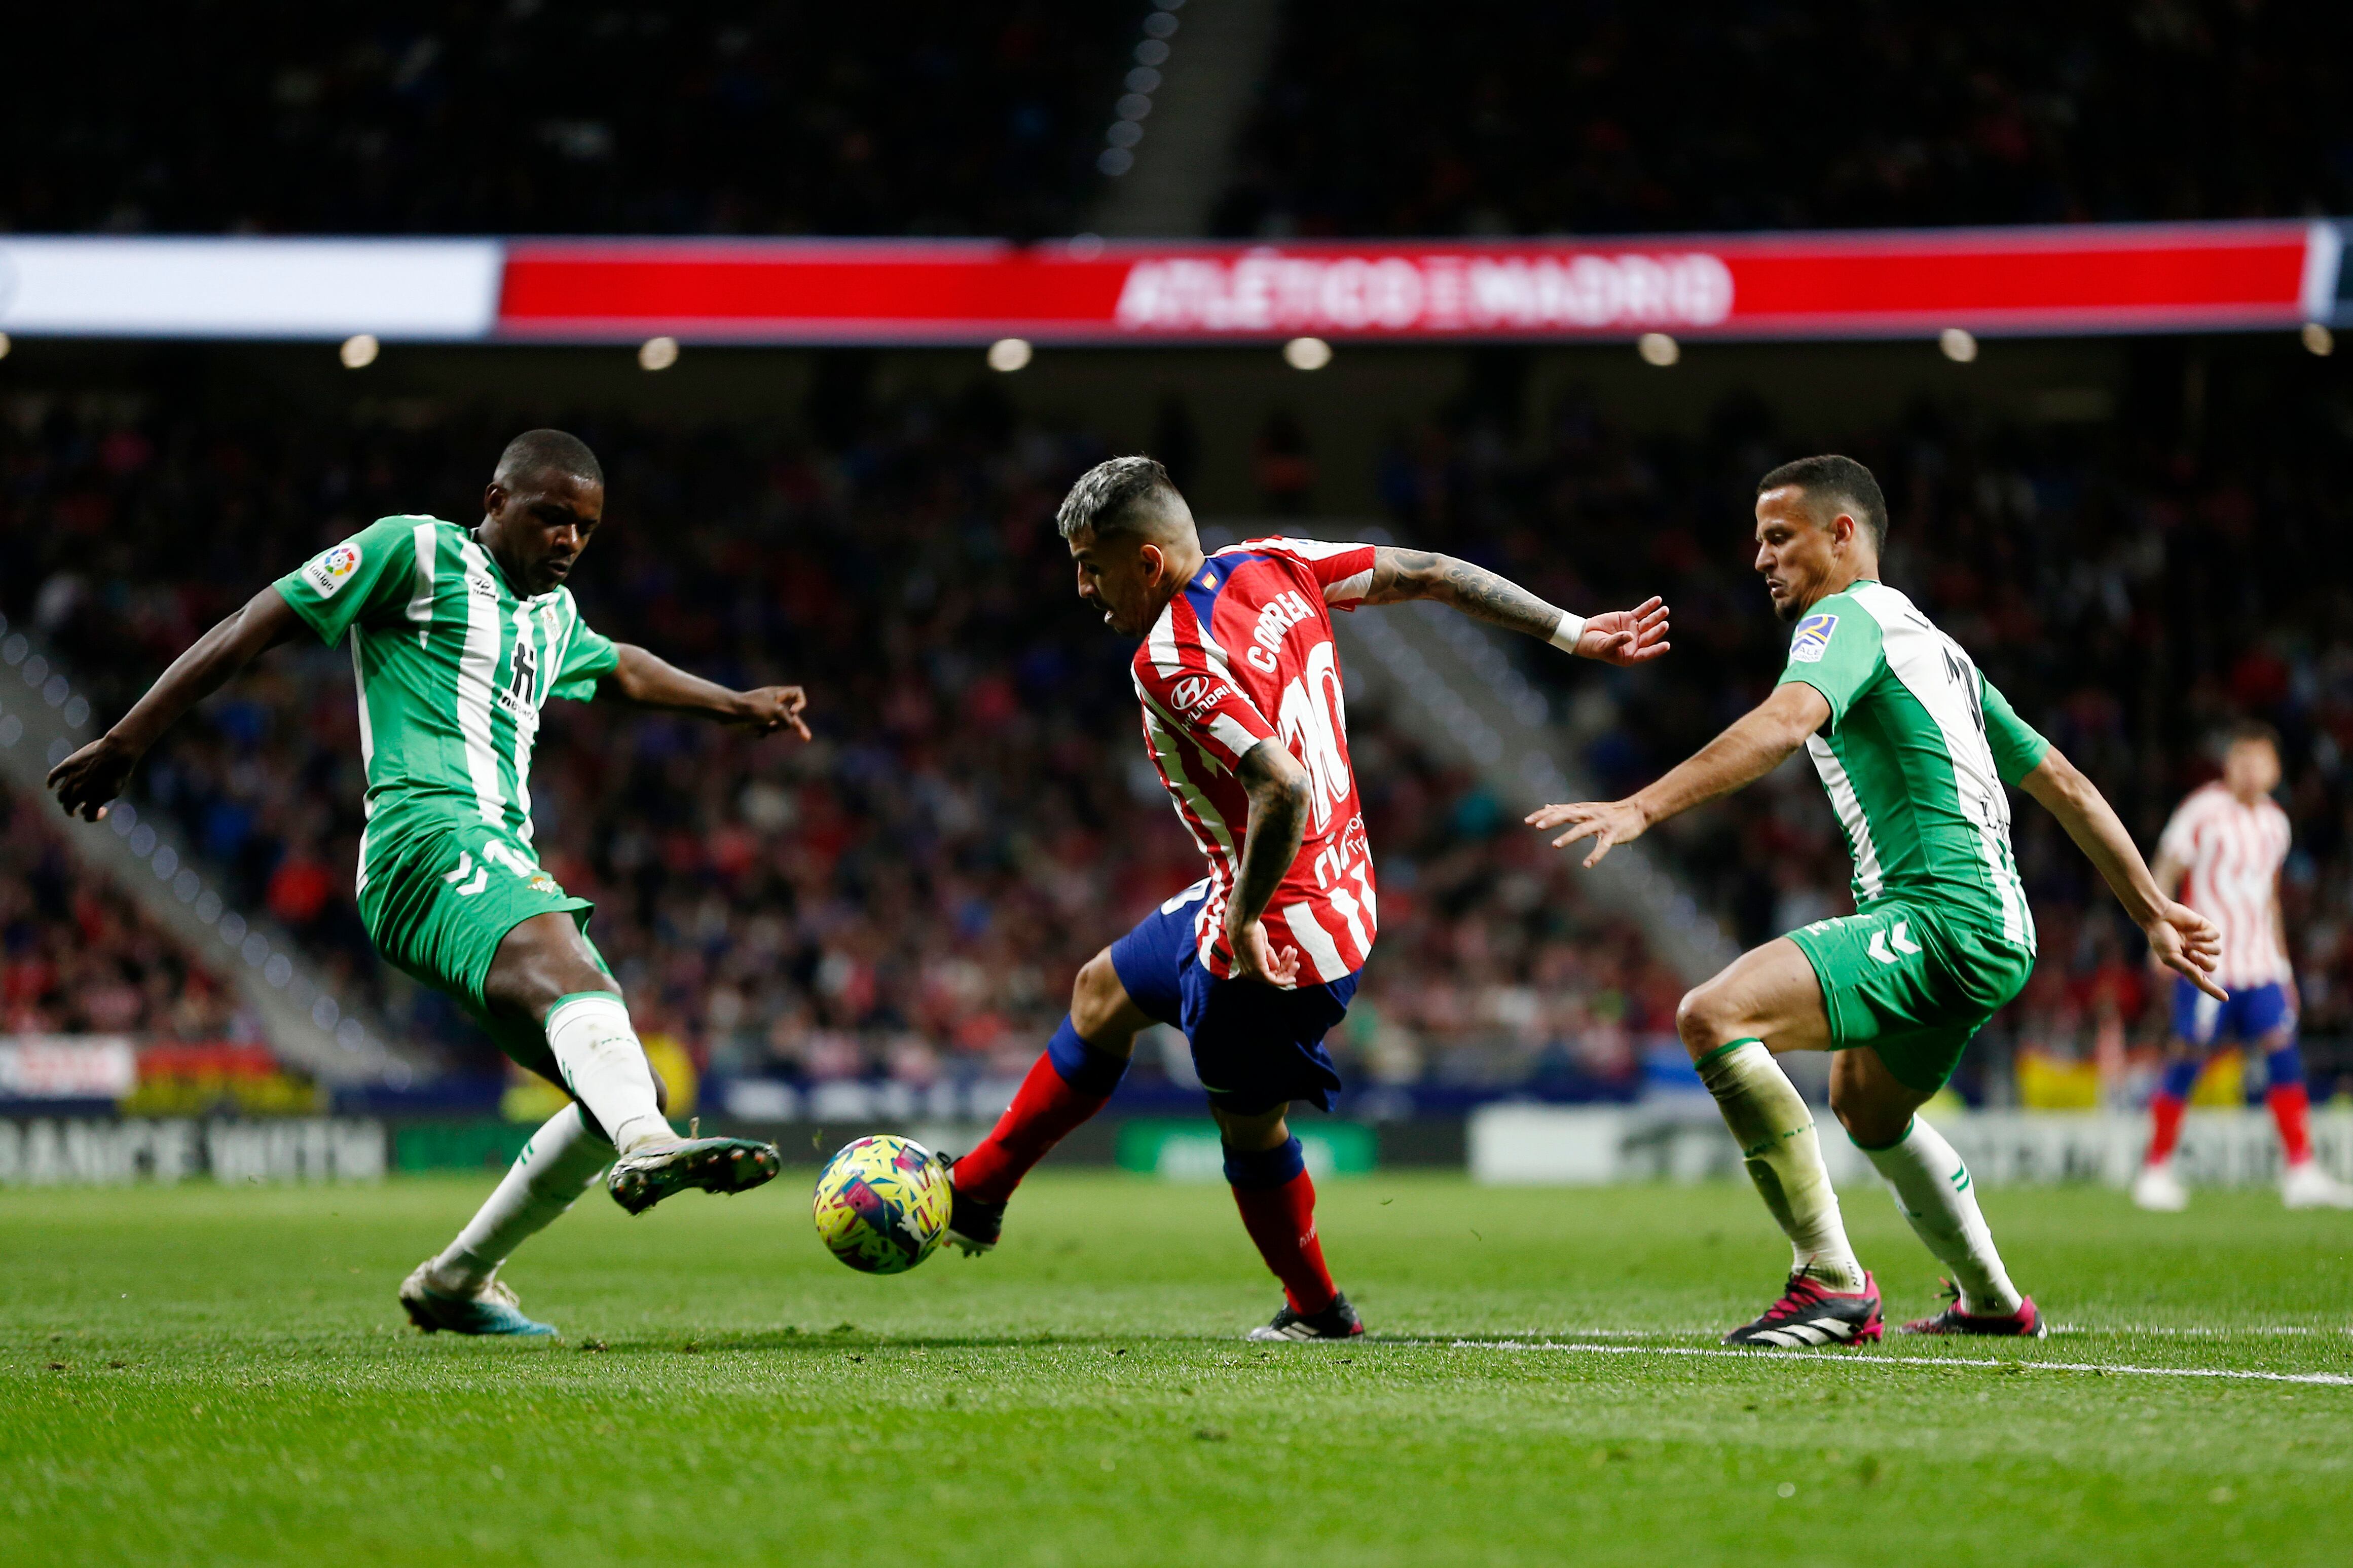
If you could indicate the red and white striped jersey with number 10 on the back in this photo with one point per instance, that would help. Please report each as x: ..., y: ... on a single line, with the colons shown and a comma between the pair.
x: 1246, y: 655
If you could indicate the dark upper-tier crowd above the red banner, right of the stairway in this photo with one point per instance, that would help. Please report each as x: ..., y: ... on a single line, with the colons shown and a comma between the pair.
x: 1597, y: 116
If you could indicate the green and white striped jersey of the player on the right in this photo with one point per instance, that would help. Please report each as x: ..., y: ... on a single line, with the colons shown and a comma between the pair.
x: 1914, y: 758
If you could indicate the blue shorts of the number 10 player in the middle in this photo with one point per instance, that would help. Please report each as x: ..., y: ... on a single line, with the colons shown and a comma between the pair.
x: 1255, y: 1047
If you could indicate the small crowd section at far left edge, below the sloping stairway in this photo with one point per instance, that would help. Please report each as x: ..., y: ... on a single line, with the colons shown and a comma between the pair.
x: 79, y: 958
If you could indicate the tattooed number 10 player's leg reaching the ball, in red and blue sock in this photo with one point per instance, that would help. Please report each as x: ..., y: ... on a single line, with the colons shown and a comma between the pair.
x: 1067, y: 1085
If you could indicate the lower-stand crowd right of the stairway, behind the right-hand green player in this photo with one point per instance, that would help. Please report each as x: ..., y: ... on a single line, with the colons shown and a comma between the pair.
x: 2131, y: 584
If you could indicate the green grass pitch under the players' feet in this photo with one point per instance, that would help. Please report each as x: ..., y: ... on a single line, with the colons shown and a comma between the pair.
x: 220, y: 1376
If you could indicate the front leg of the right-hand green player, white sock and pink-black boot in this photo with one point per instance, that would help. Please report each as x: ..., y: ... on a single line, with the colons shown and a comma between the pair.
x: 1764, y: 1003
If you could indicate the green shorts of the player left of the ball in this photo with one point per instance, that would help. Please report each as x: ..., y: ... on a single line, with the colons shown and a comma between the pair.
x: 441, y: 897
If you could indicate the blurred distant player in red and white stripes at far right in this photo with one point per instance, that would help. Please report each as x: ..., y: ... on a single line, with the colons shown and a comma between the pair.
x: 2229, y: 840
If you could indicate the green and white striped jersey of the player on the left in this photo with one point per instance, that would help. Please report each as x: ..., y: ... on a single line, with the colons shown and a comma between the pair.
x: 453, y: 671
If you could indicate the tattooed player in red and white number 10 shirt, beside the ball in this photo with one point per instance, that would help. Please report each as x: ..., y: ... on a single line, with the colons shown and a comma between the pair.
x: 1258, y: 960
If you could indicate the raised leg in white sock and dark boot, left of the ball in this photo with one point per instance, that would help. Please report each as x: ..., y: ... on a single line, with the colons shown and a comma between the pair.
x: 547, y: 974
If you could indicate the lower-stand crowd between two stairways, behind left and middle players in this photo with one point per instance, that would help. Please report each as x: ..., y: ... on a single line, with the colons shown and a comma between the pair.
x: 909, y: 897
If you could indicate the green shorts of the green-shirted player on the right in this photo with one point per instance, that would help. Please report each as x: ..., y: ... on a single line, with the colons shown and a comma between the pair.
x: 1912, y: 984
